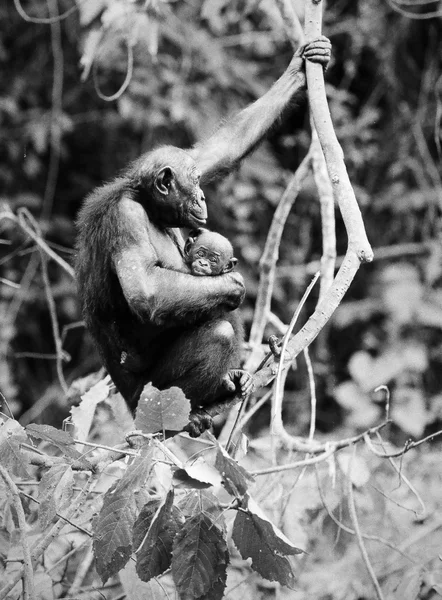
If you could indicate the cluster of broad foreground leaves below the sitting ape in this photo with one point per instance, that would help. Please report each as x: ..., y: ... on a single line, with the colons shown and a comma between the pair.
x: 162, y: 511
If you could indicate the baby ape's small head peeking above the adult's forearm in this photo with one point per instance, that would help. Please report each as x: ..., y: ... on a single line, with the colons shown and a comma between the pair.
x: 208, y: 253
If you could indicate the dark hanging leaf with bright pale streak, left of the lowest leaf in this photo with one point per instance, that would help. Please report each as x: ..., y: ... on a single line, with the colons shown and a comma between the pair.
x: 154, y: 532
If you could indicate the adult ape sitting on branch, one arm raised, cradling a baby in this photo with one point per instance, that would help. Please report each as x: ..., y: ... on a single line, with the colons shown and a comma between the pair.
x: 133, y: 291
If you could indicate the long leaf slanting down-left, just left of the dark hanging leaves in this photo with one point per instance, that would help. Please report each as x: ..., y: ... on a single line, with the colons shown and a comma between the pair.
x: 113, y: 527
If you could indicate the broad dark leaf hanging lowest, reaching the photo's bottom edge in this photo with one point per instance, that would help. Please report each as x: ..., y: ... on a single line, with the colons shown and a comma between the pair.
x: 199, y: 557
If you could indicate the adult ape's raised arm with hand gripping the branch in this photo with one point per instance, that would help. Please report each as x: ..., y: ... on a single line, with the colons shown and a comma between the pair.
x: 239, y: 135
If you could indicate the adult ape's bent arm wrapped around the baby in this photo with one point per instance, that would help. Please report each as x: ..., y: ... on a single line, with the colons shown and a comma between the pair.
x: 164, y: 296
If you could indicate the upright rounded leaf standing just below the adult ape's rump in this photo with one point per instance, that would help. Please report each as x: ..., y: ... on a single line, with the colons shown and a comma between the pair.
x: 167, y: 410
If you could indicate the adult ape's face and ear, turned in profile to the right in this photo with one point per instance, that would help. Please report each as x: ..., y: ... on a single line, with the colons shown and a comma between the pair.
x: 178, y: 196
